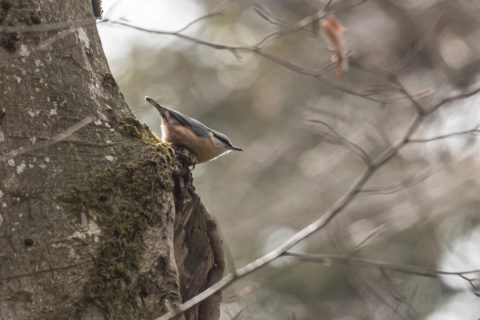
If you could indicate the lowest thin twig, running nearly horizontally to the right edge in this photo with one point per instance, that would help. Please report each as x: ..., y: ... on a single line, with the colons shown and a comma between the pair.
x: 348, y: 259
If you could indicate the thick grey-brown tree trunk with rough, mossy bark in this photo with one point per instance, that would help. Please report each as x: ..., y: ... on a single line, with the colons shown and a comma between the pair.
x: 103, y: 223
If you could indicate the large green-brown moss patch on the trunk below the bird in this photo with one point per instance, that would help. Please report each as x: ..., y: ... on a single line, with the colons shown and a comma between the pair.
x: 124, y: 201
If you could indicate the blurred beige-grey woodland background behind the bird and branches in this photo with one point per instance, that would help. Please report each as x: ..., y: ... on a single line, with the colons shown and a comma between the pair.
x: 422, y: 208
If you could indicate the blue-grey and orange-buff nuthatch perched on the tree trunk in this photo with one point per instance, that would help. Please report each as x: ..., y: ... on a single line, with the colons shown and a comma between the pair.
x: 182, y: 130
